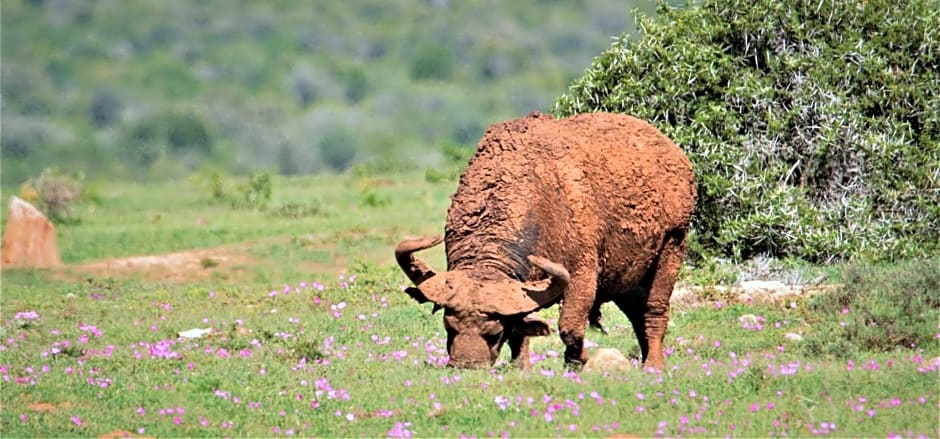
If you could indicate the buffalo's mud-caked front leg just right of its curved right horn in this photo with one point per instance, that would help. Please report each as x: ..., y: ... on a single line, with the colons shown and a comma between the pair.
x: 573, y: 317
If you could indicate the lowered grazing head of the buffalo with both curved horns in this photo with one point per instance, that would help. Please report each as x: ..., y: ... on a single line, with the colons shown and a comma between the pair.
x: 481, y: 314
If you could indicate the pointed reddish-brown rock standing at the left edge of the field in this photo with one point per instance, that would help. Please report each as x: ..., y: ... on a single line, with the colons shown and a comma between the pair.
x: 29, y: 239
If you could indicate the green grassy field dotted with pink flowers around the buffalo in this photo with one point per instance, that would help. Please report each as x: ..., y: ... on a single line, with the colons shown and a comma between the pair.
x: 311, y: 336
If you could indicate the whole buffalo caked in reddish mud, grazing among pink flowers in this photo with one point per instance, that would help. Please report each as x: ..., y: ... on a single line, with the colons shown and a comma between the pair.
x: 580, y: 211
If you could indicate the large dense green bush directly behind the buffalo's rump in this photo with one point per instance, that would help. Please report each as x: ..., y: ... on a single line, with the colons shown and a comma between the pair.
x: 813, y: 127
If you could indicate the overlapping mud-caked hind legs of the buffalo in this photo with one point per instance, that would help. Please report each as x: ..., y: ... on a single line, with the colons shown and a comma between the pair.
x: 649, y: 312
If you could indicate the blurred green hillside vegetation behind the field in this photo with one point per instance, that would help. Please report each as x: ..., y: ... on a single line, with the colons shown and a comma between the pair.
x: 150, y: 90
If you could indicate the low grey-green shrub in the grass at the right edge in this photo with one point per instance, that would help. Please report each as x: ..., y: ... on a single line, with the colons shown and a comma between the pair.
x: 878, y: 308
